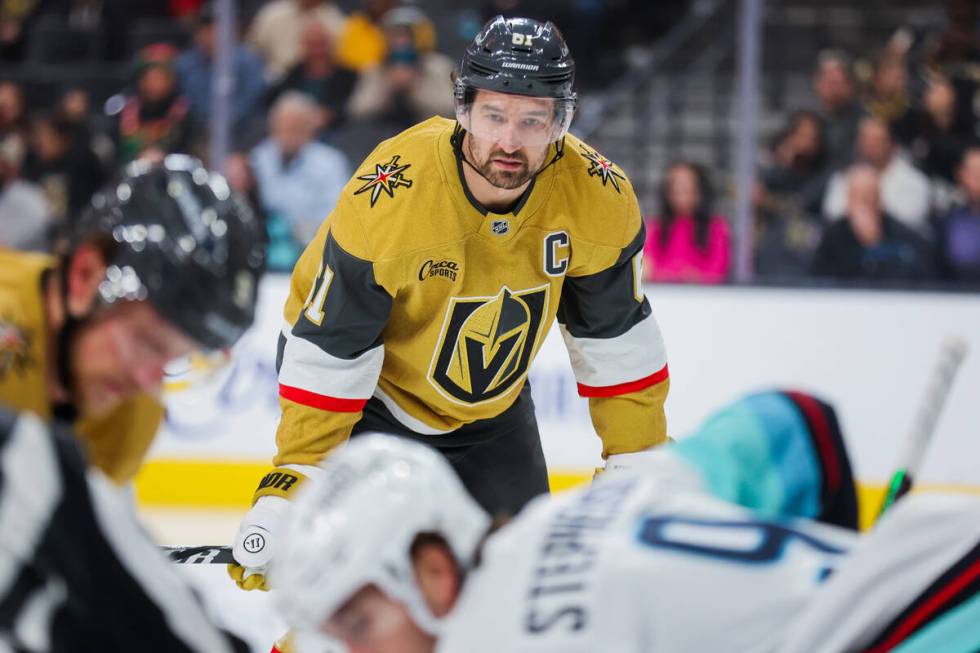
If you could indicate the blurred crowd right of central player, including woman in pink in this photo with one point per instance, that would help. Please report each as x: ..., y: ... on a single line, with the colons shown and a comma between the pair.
x: 878, y: 183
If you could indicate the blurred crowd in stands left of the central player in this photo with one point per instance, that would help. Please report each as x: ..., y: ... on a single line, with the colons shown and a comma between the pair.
x: 313, y: 90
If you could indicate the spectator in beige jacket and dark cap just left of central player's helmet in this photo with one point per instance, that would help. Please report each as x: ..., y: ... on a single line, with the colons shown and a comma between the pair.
x: 414, y: 82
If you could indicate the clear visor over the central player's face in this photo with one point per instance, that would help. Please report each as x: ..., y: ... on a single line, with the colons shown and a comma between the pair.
x: 514, y: 121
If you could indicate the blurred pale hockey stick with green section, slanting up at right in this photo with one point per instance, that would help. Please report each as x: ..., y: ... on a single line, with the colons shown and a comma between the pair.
x: 951, y: 355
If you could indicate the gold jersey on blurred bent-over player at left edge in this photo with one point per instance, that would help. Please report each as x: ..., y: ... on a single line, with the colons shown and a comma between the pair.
x: 115, y: 443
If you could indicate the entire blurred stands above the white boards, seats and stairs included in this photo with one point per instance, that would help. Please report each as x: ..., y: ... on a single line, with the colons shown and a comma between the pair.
x: 735, y: 120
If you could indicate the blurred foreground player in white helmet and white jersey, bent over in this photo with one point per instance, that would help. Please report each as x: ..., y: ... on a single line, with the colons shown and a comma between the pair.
x: 703, y: 547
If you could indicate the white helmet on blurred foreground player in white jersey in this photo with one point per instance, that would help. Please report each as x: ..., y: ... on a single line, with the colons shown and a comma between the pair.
x: 355, y: 526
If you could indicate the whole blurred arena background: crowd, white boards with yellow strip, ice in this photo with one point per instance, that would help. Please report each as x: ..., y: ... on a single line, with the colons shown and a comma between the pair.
x: 771, y: 258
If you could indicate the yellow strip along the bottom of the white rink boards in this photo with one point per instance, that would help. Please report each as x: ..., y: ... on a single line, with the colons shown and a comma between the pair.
x: 206, y: 484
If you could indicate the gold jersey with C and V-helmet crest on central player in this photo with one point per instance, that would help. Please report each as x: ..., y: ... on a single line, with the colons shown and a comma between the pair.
x: 412, y: 294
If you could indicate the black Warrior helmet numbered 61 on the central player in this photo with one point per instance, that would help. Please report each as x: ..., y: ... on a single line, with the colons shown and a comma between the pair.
x: 519, y: 56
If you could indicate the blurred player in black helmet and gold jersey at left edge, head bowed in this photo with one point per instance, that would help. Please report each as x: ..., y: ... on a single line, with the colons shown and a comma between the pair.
x: 164, y: 261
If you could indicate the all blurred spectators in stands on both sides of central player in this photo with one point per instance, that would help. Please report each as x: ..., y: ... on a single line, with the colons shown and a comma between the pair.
x: 878, y: 181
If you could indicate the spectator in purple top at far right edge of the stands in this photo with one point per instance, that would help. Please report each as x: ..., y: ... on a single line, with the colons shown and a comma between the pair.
x: 959, y: 231
